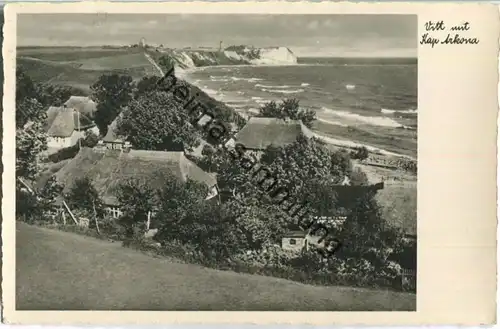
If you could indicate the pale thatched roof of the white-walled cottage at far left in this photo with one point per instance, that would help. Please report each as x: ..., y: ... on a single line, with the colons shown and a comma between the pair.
x: 61, y: 122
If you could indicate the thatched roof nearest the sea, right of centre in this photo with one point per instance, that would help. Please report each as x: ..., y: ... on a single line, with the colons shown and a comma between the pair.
x: 260, y: 133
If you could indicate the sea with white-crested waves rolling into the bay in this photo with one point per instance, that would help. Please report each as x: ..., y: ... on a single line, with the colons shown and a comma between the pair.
x: 367, y: 101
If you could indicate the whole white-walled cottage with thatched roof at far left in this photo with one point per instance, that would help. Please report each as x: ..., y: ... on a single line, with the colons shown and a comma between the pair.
x: 65, y: 126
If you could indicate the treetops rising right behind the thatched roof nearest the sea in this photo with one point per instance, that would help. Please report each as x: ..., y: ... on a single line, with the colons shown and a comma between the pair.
x: 288, y: 109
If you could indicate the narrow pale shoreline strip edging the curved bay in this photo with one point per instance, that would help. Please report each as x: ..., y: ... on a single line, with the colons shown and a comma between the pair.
x: 185, y: 74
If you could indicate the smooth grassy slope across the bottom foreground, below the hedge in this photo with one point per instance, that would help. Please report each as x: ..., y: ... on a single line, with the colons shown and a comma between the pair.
x: 63, y: 271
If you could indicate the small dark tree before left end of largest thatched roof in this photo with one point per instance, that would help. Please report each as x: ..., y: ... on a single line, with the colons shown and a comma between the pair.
x: 84, y: 196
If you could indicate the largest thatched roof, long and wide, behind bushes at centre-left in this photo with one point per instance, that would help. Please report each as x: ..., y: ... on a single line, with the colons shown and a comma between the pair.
x: 108, y: 168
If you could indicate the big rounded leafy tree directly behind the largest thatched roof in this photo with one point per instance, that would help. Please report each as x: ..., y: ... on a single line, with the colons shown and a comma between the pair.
x: 156, y: 121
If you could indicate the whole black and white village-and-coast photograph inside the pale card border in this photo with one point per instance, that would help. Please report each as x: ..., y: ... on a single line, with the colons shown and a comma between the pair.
x: 216, y: 162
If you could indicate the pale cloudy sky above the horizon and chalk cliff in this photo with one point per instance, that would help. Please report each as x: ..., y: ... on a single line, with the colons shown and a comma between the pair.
x: 306, y: 35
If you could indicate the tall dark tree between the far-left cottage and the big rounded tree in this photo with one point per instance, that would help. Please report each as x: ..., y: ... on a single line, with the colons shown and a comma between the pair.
x: 111, y: 92
